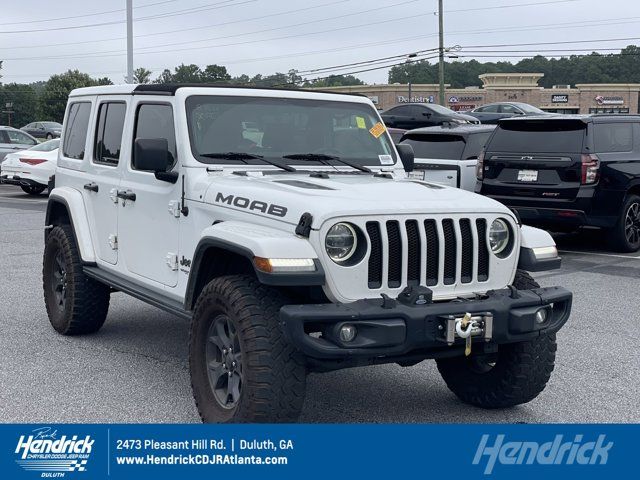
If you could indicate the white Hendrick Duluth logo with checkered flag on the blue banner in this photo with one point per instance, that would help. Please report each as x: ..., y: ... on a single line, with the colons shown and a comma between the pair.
x: 52, y: 454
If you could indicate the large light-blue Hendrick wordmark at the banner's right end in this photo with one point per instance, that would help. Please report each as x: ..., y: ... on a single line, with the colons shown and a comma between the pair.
x: 556, y: 452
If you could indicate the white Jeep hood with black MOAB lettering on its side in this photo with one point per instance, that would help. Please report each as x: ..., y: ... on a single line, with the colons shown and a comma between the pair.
x: 340, y: 195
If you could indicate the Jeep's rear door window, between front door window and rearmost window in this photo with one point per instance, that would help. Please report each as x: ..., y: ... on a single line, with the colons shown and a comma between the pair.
x: 108, y: 139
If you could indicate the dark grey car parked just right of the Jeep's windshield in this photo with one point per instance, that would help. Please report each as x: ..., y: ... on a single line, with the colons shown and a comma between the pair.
x: 418, y: 115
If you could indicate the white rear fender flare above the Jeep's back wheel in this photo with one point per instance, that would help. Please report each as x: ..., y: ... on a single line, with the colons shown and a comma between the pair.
x: 73, y: 202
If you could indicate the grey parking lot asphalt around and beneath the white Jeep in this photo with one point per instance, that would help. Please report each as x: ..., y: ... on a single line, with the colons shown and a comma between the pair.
x: 135, y: 368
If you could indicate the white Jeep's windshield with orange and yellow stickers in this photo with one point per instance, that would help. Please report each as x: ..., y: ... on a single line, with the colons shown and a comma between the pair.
x: 276, y: 127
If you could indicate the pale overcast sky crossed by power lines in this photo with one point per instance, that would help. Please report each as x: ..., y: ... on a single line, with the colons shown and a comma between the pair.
x: 265, y: 36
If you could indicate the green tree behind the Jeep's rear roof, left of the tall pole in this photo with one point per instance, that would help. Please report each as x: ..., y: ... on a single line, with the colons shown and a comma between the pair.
x: 53, y: 99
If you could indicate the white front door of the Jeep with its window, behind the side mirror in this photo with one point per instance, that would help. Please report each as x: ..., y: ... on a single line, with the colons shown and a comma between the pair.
x: 148, y: 230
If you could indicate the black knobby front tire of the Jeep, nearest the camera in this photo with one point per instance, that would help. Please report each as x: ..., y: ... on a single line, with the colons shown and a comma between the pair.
x: 273, y: 376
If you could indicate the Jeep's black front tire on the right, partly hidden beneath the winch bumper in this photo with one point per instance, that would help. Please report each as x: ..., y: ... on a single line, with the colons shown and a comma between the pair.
x: 517, y: 374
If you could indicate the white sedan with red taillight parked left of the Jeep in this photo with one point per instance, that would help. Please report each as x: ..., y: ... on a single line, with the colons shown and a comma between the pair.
x: 31, y: 169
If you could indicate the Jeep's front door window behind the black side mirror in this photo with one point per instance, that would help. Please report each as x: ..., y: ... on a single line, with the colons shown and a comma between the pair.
x: 156, y: 121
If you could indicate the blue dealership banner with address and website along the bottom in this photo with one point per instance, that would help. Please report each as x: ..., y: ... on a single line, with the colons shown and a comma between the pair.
x: 88, y: 452
